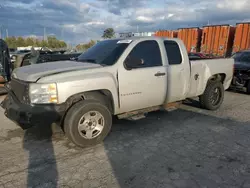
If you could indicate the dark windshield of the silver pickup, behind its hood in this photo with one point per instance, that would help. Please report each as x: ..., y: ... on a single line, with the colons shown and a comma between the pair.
x: 105, y: 52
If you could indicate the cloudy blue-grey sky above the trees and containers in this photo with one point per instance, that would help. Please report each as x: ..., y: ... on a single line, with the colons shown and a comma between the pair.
x: 78, y: 21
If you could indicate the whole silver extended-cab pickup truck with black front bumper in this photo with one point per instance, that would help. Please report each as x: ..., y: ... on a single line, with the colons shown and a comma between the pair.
x: 123, y: 77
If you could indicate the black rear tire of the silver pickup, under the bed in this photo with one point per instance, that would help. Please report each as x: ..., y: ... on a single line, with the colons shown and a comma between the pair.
x: 205, y: 99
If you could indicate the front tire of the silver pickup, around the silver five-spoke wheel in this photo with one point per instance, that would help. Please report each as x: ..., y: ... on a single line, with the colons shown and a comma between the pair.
x: 76, y: 113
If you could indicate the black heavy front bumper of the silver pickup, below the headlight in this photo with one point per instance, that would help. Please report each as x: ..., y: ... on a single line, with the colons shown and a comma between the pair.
x: 27, y: 116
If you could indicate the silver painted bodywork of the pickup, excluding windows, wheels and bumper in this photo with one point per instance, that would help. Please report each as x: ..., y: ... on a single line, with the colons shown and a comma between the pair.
x: 131, y: 89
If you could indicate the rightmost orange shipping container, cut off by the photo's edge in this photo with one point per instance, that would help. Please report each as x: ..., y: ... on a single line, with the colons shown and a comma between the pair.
x: 242, y: 37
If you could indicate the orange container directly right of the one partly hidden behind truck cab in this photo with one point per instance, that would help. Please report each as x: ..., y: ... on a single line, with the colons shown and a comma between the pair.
x: 191, y: 38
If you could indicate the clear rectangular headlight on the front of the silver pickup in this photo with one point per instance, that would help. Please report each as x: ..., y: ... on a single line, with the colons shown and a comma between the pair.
x: 43, y: 93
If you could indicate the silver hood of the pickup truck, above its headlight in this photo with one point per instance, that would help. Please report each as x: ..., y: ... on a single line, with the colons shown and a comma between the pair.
x: 33, y: 72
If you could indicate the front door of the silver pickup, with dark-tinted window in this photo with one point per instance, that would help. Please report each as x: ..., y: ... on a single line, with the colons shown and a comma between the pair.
x: 146, y: 85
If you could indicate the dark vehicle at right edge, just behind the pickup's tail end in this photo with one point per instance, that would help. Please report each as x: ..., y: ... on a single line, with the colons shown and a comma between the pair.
x: 241, y: 78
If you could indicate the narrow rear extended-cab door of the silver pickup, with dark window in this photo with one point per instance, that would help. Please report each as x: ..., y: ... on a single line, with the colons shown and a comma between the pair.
x: 178, y: 72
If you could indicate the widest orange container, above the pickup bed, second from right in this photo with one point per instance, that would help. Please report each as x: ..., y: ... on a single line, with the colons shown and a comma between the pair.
x: 217, y: 40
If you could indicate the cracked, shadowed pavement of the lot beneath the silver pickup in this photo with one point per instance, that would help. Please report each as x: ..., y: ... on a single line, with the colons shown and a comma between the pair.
x: 189, y: 147
